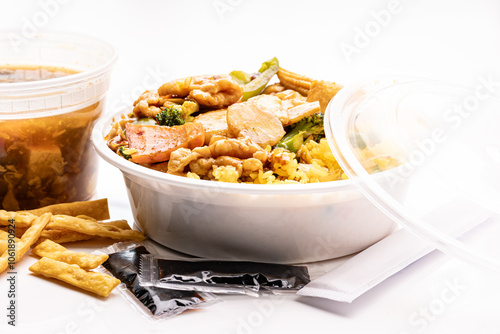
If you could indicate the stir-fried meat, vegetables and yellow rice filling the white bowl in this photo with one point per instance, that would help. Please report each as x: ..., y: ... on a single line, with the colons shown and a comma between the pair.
x: 234, y: 128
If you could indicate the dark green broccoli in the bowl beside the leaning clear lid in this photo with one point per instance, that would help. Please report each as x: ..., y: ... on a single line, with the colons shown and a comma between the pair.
x: 308, y: 126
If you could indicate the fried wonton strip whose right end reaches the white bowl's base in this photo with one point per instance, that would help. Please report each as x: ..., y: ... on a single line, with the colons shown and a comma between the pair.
x: 93, y: 228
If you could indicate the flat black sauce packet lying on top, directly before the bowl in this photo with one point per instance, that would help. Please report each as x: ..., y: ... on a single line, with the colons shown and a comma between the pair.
x: 234, y: 277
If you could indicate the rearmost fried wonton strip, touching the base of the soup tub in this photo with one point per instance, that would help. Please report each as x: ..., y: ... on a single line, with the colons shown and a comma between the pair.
x: 97, y: 209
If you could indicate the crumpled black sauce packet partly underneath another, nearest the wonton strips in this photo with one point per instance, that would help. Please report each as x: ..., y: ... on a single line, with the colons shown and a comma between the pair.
x: 155, y: 302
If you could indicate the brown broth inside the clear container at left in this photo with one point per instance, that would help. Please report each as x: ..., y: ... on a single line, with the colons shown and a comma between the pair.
x: 49, y: 159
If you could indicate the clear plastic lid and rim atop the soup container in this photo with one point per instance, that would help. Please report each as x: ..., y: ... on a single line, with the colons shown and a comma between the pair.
x: 91, y: 57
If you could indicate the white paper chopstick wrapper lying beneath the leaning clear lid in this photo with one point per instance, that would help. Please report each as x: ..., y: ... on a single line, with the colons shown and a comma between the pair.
x: 385, y: 258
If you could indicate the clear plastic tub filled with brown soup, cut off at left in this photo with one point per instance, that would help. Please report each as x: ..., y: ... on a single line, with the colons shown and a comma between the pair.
x: 46, y: 156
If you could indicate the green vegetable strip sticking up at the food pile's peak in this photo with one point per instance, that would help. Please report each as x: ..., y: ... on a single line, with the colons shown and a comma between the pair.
x: 253, y: 87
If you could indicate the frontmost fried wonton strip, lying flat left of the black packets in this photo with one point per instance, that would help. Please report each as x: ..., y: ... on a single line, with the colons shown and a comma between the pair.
x: 97, y: 283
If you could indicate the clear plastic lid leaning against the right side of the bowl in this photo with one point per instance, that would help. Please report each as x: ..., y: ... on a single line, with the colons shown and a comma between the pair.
x: 445, y: 142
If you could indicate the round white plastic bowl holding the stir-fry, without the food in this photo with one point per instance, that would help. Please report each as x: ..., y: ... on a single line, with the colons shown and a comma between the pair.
x: 268, y: 223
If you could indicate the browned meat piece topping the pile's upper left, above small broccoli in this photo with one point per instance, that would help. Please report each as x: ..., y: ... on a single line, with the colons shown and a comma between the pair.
x: 215, y: 91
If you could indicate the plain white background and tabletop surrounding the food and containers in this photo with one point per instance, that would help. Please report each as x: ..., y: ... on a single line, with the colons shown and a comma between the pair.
x: 161, y: 40
